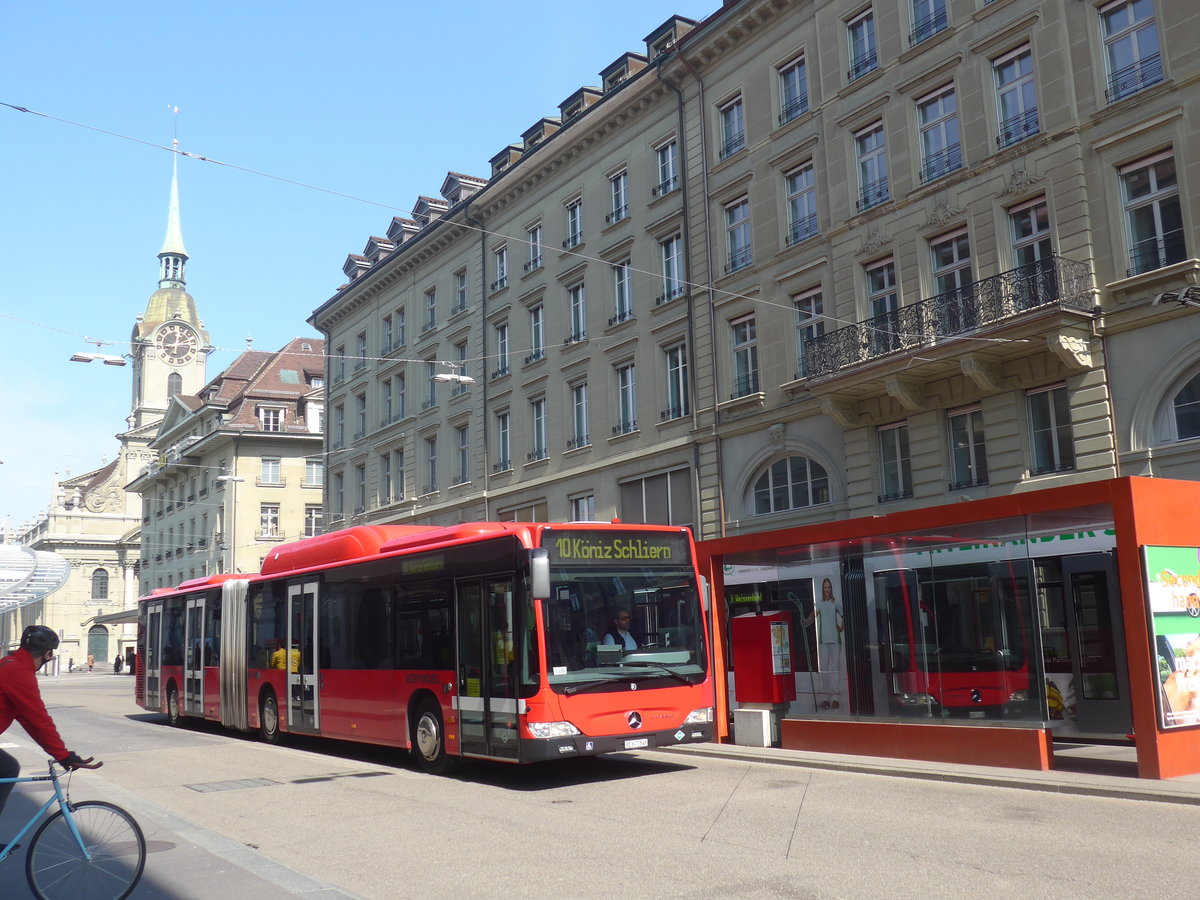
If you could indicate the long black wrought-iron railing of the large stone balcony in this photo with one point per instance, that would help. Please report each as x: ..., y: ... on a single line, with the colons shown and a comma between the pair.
x: 1048, y: 283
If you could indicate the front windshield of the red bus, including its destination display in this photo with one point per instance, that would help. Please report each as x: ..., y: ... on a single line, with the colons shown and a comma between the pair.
x: 622, y: 615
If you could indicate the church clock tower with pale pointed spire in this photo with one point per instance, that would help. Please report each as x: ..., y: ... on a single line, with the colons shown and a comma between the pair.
x: 170, y: 345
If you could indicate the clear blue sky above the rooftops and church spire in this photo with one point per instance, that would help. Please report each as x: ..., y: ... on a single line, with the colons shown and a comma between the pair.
x: 373, y: 100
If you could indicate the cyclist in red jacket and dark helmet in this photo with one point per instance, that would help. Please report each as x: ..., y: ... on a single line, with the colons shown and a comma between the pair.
x: 21, y: 700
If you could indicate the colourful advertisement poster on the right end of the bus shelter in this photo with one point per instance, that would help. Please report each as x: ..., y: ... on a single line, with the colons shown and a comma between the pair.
x: 1173, y: 586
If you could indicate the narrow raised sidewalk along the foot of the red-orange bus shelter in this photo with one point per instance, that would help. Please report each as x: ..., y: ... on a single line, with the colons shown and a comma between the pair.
x: 1099, y: 771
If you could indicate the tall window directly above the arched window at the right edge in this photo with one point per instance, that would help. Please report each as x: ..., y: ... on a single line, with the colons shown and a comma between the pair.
x: 1154, y: 218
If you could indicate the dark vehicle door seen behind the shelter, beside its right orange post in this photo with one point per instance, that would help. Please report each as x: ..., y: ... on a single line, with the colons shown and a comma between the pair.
x: 1096, y: 640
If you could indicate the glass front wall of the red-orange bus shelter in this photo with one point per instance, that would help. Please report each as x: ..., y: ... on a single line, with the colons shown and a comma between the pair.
x: 973, y: 626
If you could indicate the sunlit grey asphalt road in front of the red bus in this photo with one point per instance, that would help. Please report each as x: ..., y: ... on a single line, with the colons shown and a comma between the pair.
x: 230, y: 818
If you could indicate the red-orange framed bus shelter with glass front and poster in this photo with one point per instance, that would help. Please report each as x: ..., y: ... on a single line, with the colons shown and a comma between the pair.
x: 974, y: 633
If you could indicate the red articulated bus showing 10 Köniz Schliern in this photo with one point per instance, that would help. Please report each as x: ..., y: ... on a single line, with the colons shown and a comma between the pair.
x: 490, y: 640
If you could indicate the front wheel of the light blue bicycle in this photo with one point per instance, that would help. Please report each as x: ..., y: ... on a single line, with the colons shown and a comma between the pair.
x: 57, y: 868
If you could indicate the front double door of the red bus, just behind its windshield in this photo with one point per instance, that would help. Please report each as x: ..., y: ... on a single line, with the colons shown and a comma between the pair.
x: 488, y: 659
